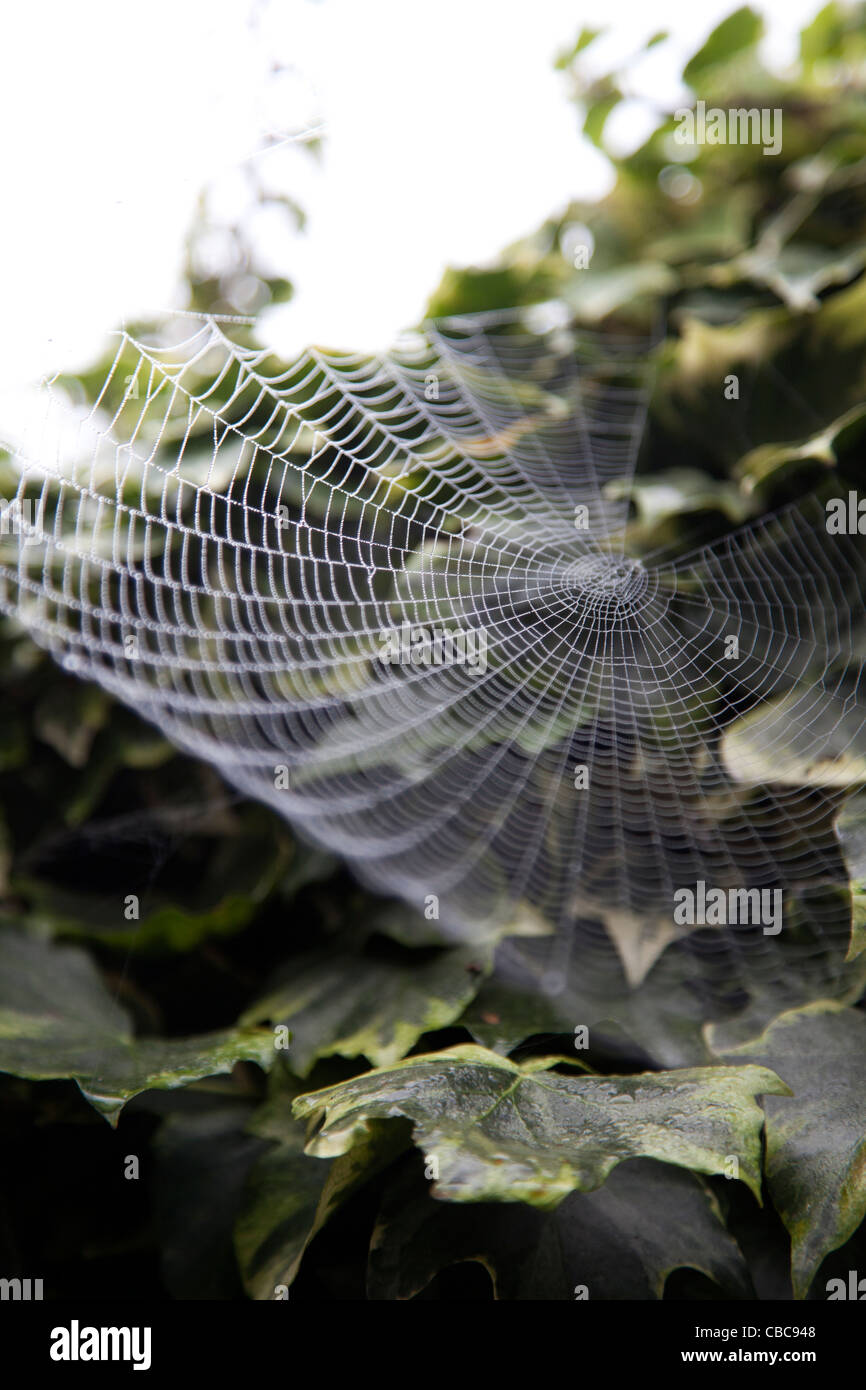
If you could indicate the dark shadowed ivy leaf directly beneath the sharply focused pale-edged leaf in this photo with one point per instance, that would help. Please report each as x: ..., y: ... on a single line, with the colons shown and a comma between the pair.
x: 621, y: 1242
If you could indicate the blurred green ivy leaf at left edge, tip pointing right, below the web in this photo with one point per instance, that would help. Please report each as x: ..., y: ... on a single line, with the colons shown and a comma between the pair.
x: 58, y: 1021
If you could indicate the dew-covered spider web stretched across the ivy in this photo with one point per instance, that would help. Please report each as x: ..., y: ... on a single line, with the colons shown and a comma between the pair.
x: 394, y: 598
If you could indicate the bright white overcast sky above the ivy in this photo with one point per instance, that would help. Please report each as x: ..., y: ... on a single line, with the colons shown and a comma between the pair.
x: 447, y: 136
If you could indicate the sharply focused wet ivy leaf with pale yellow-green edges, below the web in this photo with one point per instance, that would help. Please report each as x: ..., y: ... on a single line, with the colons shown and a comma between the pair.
x: 507, y: 1132
